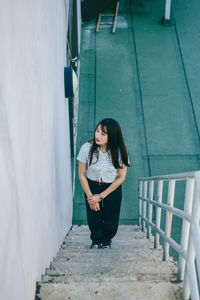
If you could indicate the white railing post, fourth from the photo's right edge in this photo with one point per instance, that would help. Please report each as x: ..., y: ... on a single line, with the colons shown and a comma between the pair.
x: 158, y: 213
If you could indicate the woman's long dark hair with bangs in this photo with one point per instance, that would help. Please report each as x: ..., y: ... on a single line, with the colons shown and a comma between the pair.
x: 115, y: 143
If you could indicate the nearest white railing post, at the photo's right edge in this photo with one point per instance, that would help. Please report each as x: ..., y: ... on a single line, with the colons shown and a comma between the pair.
x: 191, y: 250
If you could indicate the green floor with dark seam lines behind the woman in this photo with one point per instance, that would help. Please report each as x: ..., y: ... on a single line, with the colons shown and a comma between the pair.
x: 146, y: 76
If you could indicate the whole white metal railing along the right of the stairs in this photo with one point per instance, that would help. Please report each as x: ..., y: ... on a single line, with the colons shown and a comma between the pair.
x: 189, y: 247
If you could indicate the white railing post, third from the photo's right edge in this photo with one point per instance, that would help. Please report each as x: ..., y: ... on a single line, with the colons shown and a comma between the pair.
x: 168, y: 220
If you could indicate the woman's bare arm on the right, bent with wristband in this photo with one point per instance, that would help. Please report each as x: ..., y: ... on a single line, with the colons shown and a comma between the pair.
x: 119, y: 180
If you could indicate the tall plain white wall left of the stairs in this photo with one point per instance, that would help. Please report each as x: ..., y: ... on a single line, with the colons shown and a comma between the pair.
x: 35, y: 172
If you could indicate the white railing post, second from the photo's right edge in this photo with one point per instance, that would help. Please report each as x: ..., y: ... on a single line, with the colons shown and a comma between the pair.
x: 189, y: 192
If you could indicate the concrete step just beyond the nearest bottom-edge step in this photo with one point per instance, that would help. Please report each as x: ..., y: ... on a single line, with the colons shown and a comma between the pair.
x: 97, y: 271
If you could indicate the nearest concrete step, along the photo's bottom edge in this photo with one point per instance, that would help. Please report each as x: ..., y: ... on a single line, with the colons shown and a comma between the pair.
x: 151, y: 290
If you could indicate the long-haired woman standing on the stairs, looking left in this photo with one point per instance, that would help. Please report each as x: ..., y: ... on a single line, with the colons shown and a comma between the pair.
x: 103, y: 163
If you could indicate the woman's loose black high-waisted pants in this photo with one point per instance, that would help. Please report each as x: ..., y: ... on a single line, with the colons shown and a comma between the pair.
x: 103, y: 223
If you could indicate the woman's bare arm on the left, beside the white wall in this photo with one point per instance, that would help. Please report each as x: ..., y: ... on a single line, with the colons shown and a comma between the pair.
x: 85, y: 185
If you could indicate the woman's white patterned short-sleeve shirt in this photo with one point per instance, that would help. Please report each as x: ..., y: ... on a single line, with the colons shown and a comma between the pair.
x: 101, y: 169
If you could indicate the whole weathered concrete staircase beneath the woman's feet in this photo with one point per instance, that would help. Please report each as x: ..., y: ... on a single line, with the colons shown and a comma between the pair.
x: 132, y: 269
